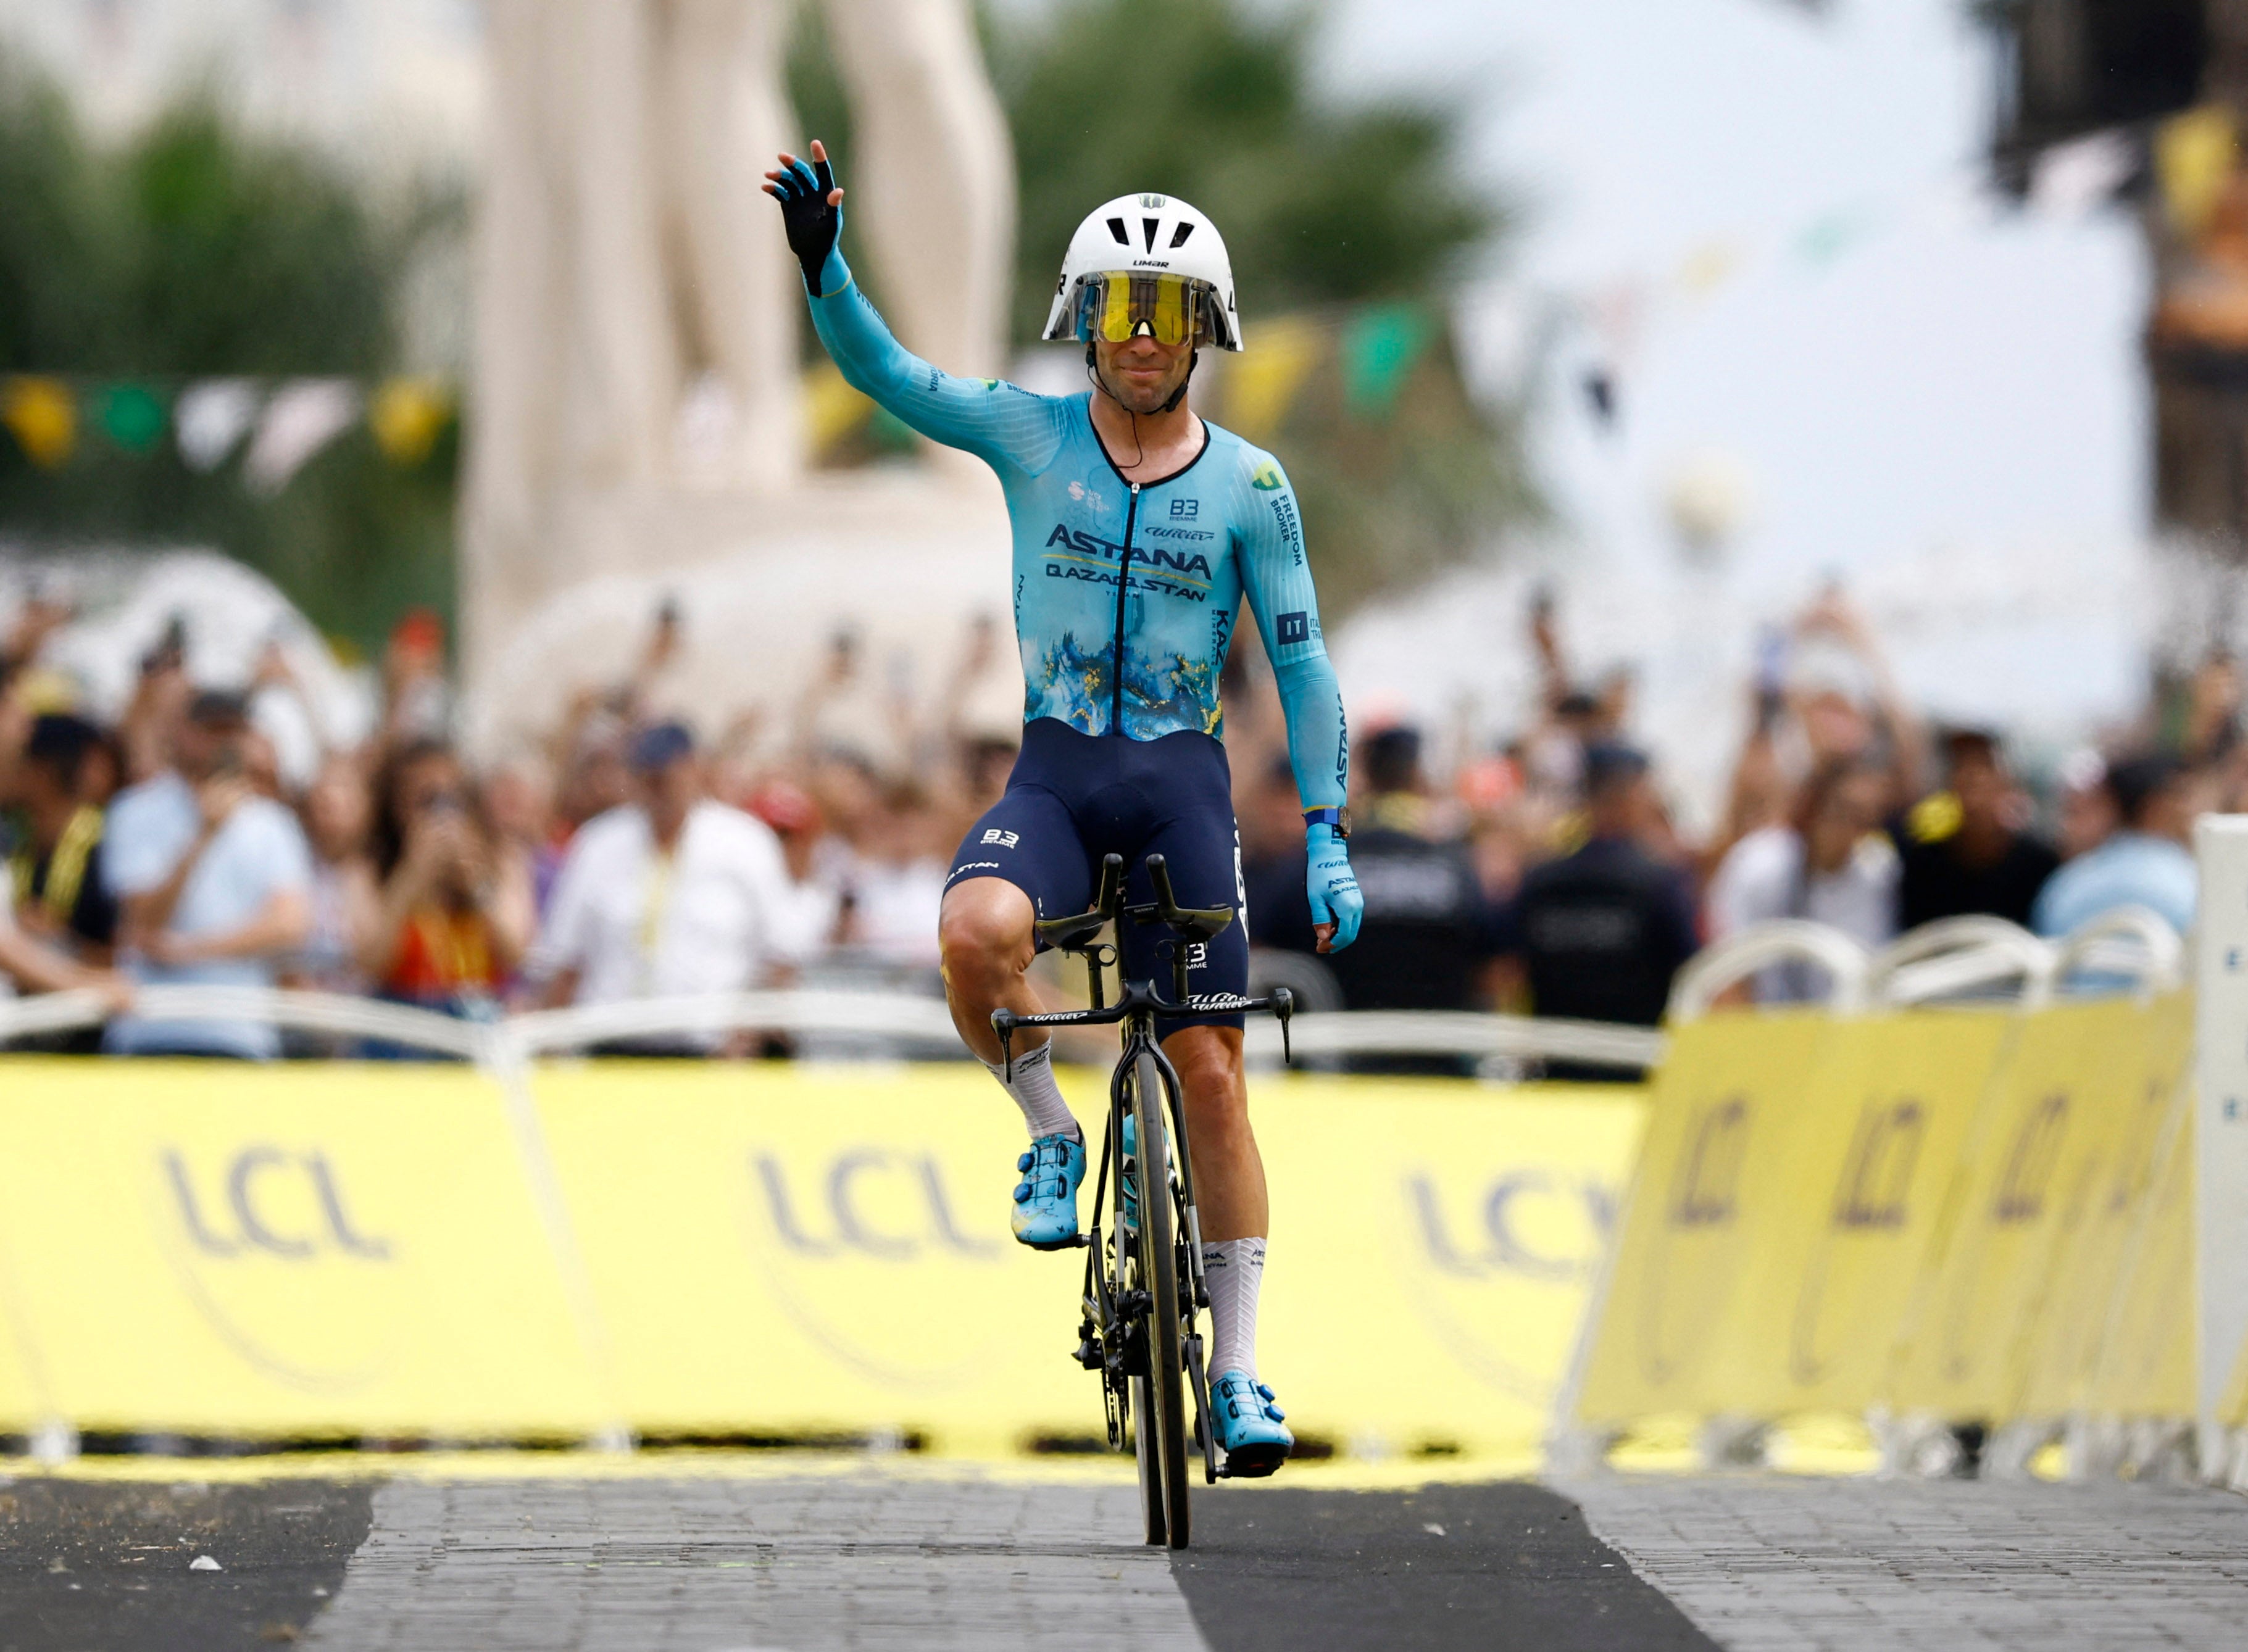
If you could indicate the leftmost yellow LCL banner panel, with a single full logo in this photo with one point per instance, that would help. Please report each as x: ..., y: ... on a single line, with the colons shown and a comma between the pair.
x: 269, y: 1251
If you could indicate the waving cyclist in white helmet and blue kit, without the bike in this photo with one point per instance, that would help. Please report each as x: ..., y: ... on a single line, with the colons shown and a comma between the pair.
x: 1139, y: 536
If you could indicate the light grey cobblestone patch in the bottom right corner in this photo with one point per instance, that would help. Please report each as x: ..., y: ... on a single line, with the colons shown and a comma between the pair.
x: 1849, y: 1565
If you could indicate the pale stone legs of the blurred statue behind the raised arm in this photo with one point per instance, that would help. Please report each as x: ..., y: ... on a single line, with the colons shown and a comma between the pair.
x: 637, y: 334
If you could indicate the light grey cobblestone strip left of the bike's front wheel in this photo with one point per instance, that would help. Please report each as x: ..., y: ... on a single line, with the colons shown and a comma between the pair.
x: 770, y: 1565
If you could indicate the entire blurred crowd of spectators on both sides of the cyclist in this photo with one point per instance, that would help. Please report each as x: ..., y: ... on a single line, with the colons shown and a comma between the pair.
x: 637, y: 855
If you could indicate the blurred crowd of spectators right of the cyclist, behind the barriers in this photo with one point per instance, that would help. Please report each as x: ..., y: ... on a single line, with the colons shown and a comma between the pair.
x: 1552, y: 875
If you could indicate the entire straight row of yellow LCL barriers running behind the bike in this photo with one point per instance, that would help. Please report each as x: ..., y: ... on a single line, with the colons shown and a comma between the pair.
x: 289, y: 1251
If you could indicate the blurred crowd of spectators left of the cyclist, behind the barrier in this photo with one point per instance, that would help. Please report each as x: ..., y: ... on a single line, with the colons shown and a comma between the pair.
x: 626, y: 857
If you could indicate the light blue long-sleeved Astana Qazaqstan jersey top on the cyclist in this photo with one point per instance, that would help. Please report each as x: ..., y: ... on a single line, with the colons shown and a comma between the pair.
x: 1150, y: 572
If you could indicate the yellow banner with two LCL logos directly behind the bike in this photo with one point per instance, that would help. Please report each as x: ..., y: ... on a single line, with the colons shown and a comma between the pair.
x: 804, y: 1251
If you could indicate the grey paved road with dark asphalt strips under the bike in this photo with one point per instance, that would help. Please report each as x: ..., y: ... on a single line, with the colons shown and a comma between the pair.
x: 871, y: 1559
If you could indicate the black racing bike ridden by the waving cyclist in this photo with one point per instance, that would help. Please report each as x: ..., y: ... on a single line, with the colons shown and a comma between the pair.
x: 1145, y: 1276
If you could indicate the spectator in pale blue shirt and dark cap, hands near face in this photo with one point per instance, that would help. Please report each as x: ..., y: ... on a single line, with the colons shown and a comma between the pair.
x: 212, y: 880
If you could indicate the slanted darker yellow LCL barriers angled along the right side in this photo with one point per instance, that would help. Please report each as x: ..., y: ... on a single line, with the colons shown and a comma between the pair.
x: 1930, y: 1210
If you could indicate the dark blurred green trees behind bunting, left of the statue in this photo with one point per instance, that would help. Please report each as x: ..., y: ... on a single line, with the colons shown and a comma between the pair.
x: 199, y: 251
